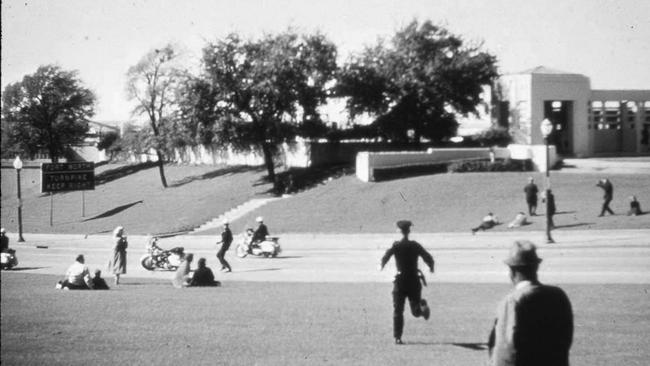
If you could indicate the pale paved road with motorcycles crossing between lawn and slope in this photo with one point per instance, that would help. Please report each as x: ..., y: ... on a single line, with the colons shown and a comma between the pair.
x: 612, y: 256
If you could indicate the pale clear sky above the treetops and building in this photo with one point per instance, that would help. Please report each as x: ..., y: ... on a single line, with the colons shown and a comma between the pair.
x: 606, y: 40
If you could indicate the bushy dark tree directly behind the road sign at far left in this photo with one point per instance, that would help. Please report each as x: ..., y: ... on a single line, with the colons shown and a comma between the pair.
x: 46, y: 110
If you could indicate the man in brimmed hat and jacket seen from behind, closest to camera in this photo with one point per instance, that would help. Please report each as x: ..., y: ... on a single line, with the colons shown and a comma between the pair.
x: 534, y: 324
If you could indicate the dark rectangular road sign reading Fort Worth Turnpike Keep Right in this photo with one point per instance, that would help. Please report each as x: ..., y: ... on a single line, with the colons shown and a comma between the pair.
x: 62, y: 177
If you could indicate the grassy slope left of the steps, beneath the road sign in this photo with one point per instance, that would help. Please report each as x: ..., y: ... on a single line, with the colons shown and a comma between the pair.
x: 134, y: 198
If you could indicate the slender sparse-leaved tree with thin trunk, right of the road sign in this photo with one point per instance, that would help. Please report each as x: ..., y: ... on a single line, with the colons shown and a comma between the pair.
x: 153, y: 83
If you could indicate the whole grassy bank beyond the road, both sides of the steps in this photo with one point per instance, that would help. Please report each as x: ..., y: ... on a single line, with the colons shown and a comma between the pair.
x: 436, y: 203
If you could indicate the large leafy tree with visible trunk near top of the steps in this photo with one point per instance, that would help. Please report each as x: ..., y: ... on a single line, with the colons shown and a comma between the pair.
x: 262, y: 93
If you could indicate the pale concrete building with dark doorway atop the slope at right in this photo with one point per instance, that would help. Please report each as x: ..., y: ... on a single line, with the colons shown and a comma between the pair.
x: 587, y: 122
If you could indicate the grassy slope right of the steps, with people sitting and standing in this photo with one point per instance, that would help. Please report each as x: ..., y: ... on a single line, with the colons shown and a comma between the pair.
x: 453, y: 202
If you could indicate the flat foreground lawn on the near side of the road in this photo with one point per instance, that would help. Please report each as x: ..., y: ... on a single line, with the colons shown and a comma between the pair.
x: 244, y: 323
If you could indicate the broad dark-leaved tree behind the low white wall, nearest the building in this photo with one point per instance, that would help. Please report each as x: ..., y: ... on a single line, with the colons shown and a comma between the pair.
x: 417, y: 82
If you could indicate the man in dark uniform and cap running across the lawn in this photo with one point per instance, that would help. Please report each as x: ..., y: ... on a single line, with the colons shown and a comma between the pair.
x: 407, y: 280
